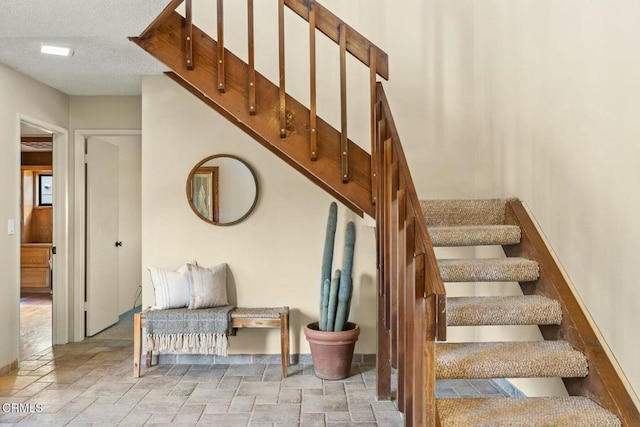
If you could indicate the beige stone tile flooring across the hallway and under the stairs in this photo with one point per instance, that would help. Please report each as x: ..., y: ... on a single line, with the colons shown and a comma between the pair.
x: 91, y: 383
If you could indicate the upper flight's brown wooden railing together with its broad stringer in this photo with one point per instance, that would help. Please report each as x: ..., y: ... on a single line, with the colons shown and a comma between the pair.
x: 196, y: 58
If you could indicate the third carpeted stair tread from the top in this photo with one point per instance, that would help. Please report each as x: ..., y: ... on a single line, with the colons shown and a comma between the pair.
x: 488, y: 270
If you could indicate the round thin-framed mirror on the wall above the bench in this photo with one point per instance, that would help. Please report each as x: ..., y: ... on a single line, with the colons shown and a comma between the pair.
x: 222, y: 189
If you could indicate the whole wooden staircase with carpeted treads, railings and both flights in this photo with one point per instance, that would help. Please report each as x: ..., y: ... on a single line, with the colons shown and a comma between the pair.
x: 414, y: 312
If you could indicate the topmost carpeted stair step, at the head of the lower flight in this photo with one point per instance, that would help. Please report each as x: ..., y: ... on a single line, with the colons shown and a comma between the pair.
x: 464, y: 212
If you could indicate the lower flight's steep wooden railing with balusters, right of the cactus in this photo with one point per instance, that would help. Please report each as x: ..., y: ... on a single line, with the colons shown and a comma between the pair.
x: 412, y: 298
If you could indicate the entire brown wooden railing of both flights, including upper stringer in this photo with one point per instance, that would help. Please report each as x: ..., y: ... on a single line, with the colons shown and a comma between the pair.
x: 411, y: 294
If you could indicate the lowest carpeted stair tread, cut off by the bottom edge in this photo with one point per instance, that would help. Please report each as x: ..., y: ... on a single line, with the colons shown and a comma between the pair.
x: 536, y: 411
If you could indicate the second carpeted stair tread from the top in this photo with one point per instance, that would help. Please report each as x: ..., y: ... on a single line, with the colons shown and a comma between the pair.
x: 475, y: 235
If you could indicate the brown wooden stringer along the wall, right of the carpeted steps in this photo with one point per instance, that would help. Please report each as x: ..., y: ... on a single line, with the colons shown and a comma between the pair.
x: 605, y: 383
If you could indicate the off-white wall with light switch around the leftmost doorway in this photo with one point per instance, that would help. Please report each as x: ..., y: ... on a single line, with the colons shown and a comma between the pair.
x: 18, y: 94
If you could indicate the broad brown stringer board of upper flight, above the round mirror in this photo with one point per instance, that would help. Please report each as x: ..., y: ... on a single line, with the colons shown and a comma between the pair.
x: 165, y: 43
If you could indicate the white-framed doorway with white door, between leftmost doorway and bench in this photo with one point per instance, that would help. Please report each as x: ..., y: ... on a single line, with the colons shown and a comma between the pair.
x: 123, y: 287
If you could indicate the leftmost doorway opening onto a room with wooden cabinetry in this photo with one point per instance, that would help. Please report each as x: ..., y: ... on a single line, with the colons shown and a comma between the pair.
x: 43, y: 226
